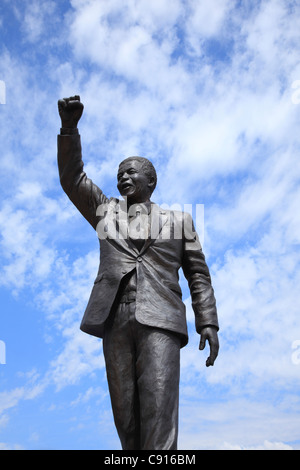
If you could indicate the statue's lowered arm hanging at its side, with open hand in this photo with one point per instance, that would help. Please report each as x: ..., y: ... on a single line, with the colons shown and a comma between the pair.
x: 197, y: 274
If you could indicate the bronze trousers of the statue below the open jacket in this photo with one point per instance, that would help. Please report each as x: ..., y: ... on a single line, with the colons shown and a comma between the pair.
x: 142, y: 366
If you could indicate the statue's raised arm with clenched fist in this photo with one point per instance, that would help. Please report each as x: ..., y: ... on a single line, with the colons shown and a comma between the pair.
x: 84, y: 194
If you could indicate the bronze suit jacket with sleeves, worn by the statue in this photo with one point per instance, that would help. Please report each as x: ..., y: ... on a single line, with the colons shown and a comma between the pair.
x: 158, y: 294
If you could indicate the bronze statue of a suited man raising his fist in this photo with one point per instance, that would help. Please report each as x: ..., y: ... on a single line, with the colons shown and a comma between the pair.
x: 136, y: 302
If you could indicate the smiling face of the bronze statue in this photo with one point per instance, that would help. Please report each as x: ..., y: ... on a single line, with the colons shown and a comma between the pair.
x: 133, y: 183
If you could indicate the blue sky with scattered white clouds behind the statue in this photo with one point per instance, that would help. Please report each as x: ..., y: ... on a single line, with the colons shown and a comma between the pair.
x: 210, y: 92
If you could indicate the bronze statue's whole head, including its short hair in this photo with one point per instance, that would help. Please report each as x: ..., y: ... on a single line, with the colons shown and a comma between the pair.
x: 136, y: 179
